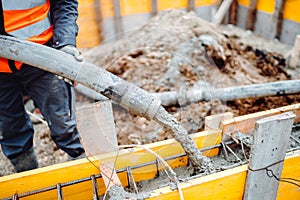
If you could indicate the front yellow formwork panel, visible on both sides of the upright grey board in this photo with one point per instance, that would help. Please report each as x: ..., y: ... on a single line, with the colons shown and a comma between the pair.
x: 230, y: 184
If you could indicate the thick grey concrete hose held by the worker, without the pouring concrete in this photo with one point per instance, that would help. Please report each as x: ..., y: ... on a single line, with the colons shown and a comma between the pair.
x: 127, y: 95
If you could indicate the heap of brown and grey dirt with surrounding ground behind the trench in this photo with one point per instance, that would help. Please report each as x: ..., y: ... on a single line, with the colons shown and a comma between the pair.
x: 175, y: 51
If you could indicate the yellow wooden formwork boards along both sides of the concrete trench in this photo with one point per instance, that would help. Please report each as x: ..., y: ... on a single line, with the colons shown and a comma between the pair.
x: 228, y: 184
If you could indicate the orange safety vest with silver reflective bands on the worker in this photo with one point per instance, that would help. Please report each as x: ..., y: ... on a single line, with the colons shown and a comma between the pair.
x: 26, y: 19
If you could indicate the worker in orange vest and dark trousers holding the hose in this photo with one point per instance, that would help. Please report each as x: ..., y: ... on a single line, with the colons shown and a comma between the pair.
x: 51, y: 23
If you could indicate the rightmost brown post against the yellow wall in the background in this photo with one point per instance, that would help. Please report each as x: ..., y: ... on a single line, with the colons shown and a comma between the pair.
x: 277, y: 19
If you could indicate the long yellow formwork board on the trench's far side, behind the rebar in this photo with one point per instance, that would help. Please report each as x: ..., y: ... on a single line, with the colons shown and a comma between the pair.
x: 69, y: 171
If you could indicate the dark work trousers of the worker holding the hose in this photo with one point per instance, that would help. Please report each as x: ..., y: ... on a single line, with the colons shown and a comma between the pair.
x: 53, y: 96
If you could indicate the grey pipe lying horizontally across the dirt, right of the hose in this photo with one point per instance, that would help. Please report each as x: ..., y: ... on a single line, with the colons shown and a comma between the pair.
x: 278, y: 88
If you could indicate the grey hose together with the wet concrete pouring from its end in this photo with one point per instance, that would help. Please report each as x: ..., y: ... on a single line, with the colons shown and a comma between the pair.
x: 129, y: 96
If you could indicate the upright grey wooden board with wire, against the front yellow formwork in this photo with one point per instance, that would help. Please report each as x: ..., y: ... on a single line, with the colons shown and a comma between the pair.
x: 271, y: 138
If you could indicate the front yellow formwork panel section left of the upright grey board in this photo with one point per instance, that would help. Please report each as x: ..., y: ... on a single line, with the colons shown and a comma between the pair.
x: 228, y: 184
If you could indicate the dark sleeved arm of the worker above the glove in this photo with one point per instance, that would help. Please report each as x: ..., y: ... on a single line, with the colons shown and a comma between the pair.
x: 64, y: 15
